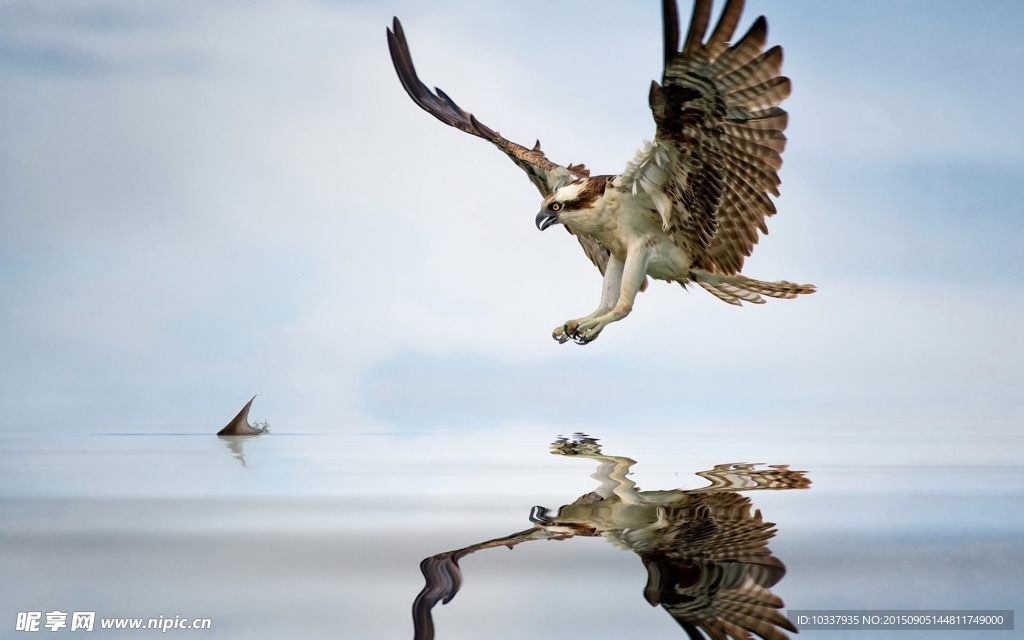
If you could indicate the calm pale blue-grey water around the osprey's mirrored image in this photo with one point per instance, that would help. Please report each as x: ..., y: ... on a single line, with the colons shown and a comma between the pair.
x: 340, y: 524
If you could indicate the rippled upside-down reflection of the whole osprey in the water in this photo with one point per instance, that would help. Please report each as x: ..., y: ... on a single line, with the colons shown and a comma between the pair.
x: 707, y: 554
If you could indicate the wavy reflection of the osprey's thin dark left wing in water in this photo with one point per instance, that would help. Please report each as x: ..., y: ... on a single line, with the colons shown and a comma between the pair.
x: 444, y: 577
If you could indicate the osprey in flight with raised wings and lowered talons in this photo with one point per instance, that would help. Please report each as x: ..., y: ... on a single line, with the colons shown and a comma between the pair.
x: 690, y: 207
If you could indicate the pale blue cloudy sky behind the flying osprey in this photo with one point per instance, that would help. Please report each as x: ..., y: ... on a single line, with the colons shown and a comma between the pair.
x: 203, y: 201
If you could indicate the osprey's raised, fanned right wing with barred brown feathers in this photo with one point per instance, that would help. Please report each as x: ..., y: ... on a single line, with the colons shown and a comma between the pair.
x: 719, y: 143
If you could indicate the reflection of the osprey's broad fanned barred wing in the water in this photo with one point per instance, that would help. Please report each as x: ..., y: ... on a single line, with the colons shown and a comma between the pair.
x: 711, y: 569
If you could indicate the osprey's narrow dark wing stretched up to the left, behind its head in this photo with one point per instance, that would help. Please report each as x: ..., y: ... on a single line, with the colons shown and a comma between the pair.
x: 546, y: 176
